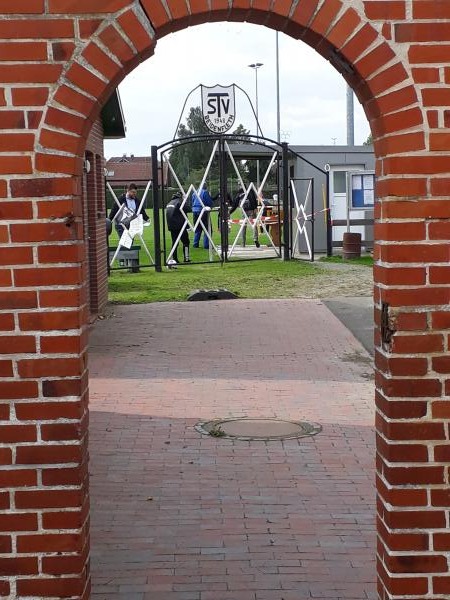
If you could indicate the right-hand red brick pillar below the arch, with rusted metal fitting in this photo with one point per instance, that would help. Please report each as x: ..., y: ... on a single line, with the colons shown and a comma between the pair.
x: 413, y: 319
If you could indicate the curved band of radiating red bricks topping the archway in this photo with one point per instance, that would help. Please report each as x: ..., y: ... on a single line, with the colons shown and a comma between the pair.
x: 354, y: 47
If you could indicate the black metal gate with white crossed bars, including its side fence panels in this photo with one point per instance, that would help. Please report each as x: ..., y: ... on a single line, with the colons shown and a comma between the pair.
x: 281, y: 226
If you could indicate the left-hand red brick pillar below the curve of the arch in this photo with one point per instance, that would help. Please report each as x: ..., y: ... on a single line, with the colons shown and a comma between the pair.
x: 44, y: 394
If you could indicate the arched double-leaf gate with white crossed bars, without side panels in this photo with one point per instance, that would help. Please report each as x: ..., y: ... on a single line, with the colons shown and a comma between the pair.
x: 228, y: 235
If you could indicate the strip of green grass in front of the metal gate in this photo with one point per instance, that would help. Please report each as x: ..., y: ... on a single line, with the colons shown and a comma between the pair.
x: 253, y: 279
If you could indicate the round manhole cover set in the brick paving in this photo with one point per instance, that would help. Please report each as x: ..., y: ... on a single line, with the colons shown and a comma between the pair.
x: 258, y: 429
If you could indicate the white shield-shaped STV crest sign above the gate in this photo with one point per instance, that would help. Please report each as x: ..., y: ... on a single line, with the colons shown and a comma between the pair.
x: 218, y: 107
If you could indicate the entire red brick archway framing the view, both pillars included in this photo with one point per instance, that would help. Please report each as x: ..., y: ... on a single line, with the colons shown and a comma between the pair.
x: 60, y: 60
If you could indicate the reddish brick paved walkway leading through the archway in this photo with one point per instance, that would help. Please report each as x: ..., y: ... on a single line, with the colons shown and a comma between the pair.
x: 180, y: 516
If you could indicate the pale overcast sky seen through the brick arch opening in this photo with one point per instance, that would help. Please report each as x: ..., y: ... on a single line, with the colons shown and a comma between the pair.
x: 312, y: 92
